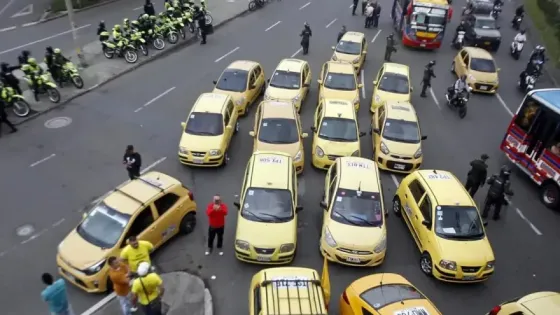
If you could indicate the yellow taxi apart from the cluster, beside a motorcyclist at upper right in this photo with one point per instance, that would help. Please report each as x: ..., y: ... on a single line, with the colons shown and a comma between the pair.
x: 479, y: 67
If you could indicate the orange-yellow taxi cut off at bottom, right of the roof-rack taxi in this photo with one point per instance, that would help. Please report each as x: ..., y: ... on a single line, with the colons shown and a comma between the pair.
x: 385, y: 294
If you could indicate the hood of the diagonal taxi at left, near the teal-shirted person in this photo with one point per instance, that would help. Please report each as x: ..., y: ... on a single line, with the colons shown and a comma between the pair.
x: 79, y: 253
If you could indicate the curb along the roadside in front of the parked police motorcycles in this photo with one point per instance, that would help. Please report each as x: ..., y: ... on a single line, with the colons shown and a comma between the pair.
x: 149, y: 59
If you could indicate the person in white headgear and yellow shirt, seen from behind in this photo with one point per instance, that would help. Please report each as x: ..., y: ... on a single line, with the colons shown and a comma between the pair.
x: 147, y: 289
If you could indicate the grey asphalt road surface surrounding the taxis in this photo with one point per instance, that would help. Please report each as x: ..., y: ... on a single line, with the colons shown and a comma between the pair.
x: 86, y: 163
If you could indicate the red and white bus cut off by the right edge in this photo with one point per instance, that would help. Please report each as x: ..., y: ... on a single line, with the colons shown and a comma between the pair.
x: 532, y: 142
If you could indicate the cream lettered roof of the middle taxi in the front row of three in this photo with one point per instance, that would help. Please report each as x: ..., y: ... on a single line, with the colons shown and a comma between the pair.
x: 358, y: 173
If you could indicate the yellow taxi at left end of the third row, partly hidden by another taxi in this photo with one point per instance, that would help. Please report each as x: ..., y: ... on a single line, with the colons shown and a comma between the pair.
x: 244, y: 81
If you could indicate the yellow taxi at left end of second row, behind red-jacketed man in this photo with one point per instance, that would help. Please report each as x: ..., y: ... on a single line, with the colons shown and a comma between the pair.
x: 208, y: 130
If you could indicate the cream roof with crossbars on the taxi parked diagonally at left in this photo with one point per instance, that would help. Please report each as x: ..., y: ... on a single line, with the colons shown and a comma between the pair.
x: 129, y: 197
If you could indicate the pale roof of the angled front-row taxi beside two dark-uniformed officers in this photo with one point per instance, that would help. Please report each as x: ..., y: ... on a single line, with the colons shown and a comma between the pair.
x: 448, y: 191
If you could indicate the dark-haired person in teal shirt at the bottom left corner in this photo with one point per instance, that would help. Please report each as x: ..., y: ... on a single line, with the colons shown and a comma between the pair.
x: 55, y: 295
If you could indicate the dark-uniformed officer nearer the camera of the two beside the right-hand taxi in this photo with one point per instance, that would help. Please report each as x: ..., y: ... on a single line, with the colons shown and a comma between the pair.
x: 499, y: 187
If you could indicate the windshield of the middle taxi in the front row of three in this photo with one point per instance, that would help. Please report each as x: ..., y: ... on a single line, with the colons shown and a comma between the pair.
x: 359, y: 208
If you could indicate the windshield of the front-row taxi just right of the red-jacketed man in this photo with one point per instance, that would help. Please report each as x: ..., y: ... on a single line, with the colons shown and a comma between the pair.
x: 267, y: 205
